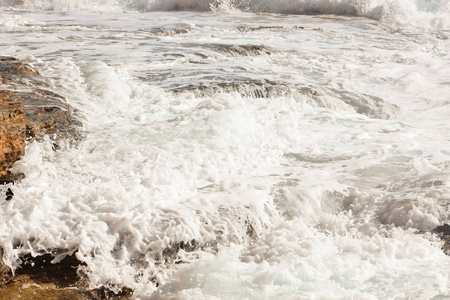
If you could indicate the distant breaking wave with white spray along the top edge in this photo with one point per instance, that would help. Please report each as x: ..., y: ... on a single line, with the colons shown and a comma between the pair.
x: 431, y: 14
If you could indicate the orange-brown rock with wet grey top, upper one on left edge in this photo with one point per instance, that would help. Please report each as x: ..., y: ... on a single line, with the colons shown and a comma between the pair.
x: 27, y: 110
